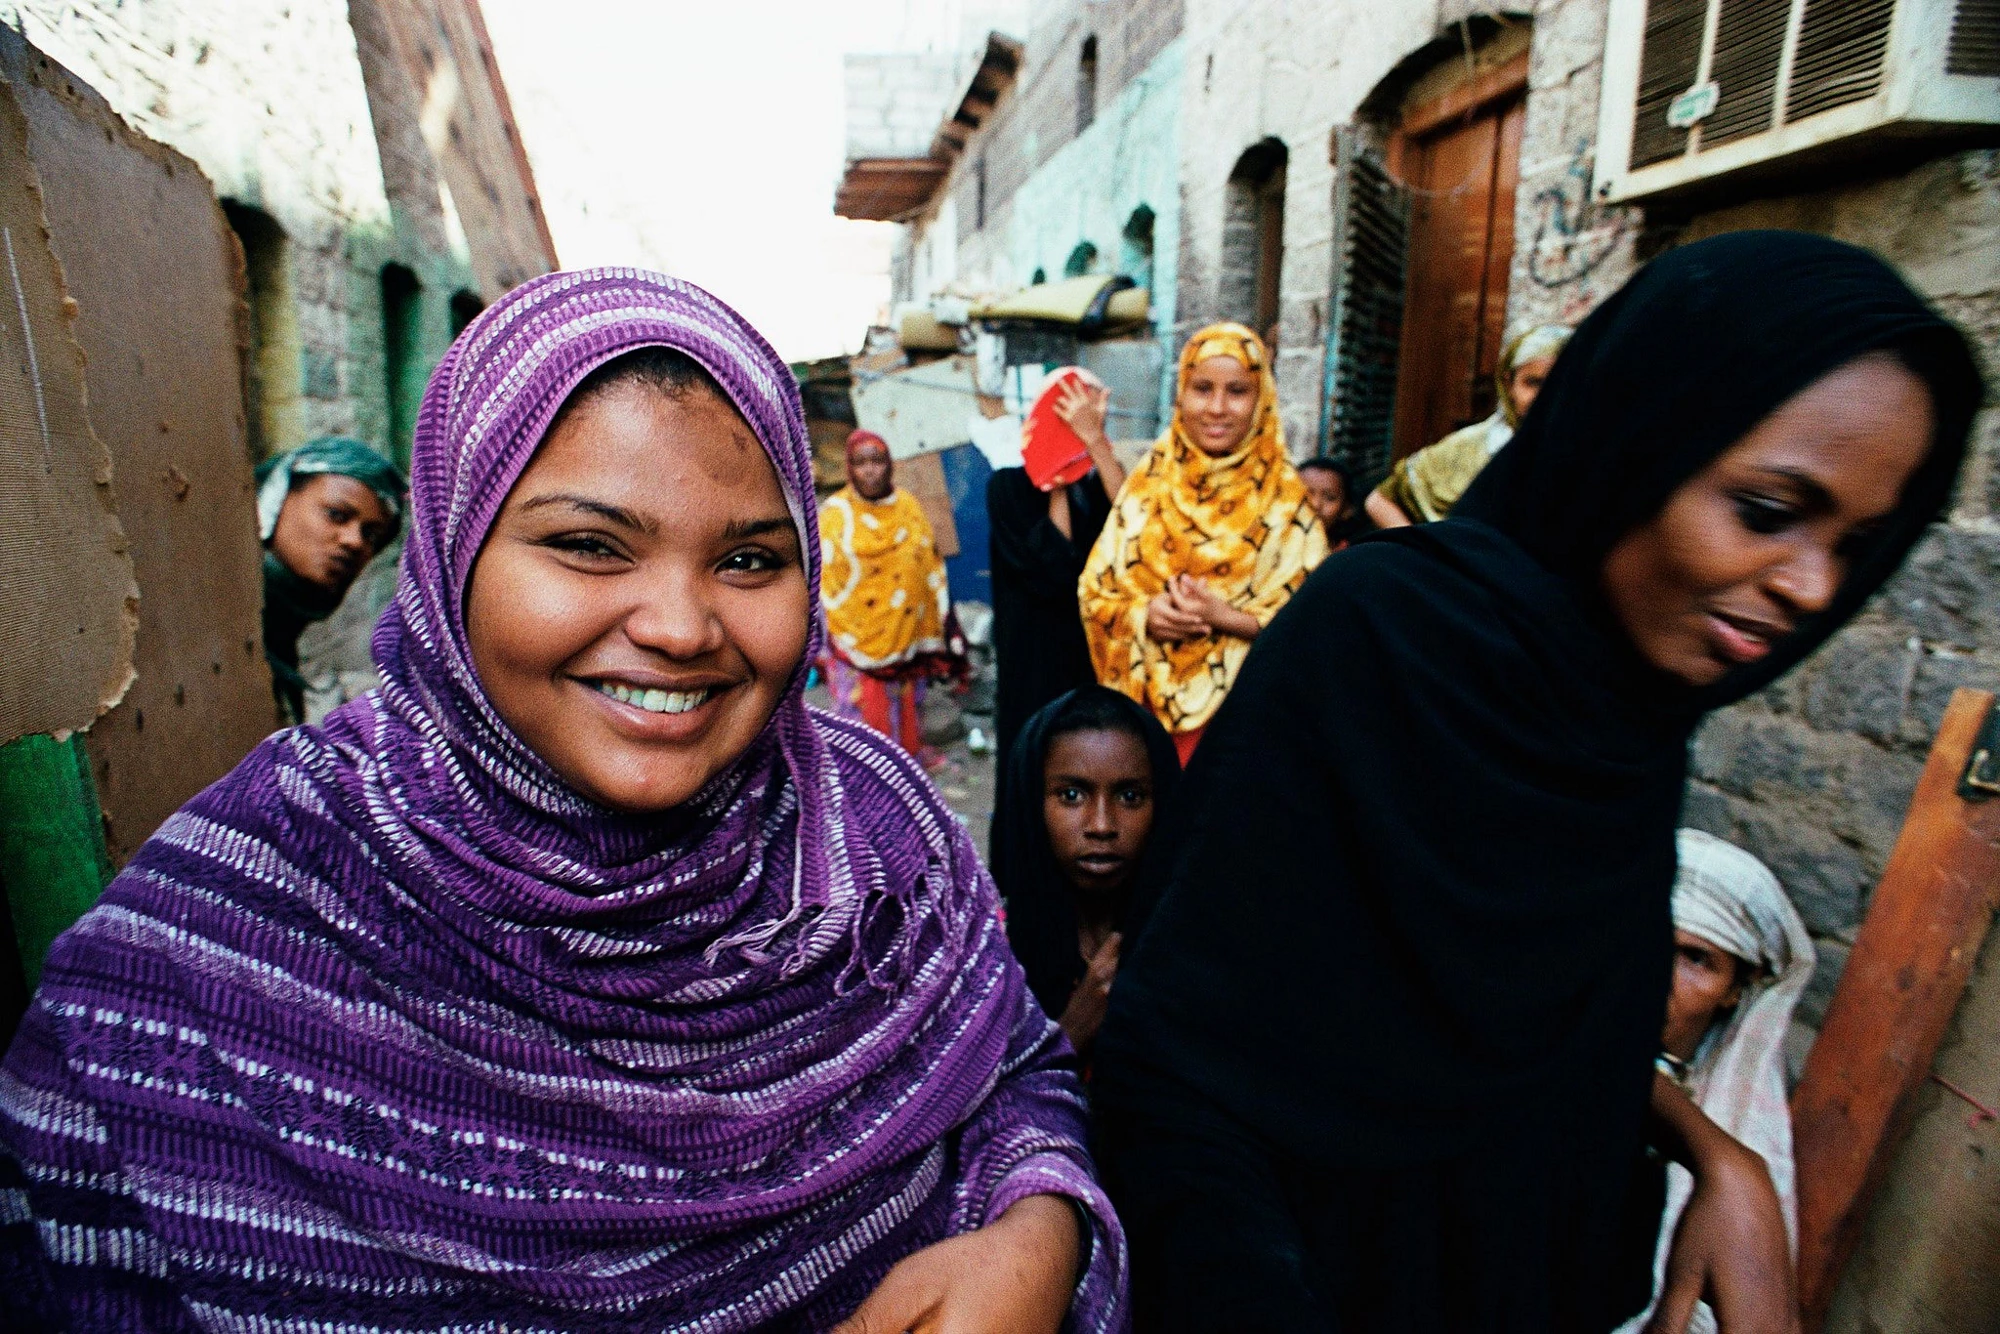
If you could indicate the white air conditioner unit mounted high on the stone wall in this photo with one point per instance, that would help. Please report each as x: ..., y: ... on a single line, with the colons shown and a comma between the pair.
x: 1697, y: 91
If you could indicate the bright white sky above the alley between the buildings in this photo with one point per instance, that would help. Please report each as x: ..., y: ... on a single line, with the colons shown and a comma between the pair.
x: 707, y: 141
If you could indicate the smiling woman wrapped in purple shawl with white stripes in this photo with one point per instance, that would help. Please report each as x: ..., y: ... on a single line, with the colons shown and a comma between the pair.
x: 581, y: 977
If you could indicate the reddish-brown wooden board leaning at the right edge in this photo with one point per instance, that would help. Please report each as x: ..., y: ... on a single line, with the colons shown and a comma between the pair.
x: 1895, y: 1003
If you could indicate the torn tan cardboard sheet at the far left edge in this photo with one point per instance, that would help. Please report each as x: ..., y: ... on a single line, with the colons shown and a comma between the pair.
x: 67, y: 593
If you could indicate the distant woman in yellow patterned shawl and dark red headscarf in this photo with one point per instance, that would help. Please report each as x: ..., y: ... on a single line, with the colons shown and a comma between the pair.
x: 885, y: 593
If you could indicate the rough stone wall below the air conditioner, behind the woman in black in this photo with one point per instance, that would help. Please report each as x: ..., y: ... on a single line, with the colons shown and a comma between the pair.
x: 1817, y: 773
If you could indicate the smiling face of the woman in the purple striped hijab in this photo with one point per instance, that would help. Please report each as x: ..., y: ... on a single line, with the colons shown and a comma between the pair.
x: 641, y: 601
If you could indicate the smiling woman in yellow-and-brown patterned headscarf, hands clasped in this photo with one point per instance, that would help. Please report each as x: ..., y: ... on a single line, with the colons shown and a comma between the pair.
x: 1211, y: 535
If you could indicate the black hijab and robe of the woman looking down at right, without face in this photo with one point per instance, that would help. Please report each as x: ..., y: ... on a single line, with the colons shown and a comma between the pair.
x: 1415, y: 905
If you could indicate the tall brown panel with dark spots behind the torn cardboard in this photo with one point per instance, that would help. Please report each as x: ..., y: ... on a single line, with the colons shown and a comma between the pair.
x: 159, y: 285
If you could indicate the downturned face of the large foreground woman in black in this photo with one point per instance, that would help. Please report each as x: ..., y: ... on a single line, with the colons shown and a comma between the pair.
x: 1765, y: 535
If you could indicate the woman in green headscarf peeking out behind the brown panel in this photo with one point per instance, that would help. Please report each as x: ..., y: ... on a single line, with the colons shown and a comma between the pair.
x: 323, y: 511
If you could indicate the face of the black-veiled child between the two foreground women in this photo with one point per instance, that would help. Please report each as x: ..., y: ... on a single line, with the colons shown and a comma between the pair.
x: 1097, y: 801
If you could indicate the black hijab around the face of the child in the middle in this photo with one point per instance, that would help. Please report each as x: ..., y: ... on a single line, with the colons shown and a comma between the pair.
x: 1041, y: 905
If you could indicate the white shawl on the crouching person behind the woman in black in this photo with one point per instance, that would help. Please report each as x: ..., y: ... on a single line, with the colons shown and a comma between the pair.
x: 1737, y: 1077
